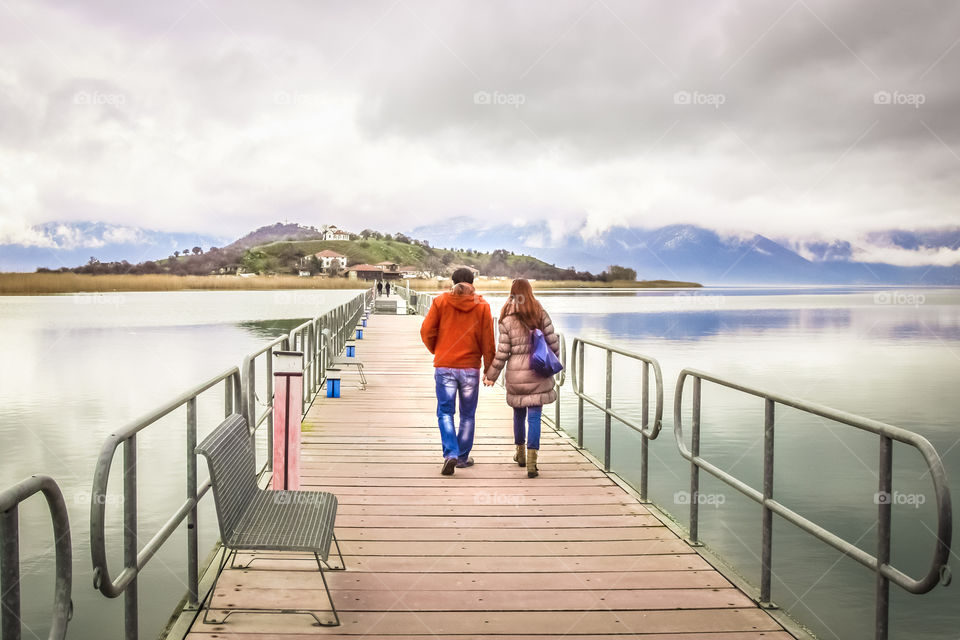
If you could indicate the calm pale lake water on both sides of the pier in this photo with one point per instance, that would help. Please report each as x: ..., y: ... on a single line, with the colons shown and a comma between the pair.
x: 77, y: 367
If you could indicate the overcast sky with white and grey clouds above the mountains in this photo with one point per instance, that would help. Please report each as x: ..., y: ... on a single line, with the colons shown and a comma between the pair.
x: 818, y: 118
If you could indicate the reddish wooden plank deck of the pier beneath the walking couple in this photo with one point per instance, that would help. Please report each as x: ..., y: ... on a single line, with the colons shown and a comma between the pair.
x: 484, y: 553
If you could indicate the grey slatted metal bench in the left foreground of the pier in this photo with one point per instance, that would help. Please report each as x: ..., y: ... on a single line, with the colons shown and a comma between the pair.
x: 254, y: 519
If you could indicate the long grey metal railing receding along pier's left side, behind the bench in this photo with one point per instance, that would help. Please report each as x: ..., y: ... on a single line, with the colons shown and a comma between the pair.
x: 319, y: 338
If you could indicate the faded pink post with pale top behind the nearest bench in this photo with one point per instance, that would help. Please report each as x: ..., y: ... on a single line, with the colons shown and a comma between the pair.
x: 287, y: 398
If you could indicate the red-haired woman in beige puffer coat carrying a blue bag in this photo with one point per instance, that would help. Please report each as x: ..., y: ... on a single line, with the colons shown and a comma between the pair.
x: 527, y: 390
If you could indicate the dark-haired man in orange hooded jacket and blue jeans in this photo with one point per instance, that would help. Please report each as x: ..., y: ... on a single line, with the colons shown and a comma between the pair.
x: 458, y: 331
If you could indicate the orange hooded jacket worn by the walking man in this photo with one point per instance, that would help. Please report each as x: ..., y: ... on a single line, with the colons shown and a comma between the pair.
x: 458, y: 329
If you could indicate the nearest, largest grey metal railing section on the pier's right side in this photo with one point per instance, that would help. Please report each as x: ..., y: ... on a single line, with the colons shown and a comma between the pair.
x: 880, y: 564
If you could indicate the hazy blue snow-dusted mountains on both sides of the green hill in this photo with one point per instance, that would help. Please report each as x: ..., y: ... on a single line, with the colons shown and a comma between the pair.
x: 673, y: 252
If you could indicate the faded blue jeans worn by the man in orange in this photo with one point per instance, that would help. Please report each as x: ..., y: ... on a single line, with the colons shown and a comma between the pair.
x: 451, y: 383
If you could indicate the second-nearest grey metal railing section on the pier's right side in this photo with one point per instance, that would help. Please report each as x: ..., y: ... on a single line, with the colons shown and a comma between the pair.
x: 646, y: 431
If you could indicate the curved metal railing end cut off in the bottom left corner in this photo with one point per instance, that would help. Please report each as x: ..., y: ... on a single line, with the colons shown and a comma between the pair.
x: 10, y: 499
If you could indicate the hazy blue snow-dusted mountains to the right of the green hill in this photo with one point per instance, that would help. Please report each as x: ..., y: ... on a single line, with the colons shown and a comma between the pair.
x: 693, y: 253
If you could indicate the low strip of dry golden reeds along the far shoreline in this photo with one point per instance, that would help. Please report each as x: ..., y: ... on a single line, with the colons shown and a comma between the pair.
x: 33, y: 284
